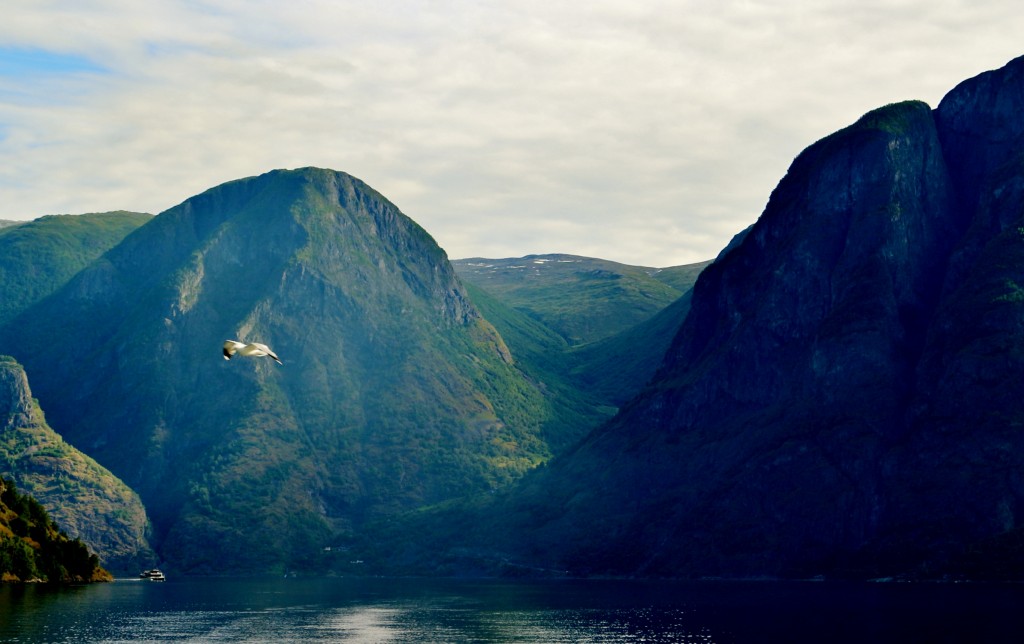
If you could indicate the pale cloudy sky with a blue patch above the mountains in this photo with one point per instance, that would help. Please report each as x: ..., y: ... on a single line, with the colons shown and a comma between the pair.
x: 647, y: 133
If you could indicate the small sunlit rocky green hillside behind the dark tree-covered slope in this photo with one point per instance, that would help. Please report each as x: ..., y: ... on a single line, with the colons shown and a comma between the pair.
x: 89, y: 502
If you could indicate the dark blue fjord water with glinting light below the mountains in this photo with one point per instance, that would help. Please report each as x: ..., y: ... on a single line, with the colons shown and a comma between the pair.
x: 418, y: 611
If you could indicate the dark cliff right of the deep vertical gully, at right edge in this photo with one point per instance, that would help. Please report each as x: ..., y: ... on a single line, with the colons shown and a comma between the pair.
x: 959, y: 476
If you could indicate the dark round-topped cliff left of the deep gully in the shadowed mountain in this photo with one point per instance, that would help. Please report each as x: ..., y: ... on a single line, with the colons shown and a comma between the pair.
x: 758, y: 449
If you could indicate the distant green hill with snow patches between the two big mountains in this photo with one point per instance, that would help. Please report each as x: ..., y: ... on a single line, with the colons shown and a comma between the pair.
x: 581, y: 298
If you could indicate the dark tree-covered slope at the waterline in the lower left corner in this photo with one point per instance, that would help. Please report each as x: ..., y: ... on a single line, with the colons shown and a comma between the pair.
x: 33, y: 548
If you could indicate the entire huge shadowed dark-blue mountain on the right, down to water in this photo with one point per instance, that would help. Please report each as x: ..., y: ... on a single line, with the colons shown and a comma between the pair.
x: 842, y: 398
